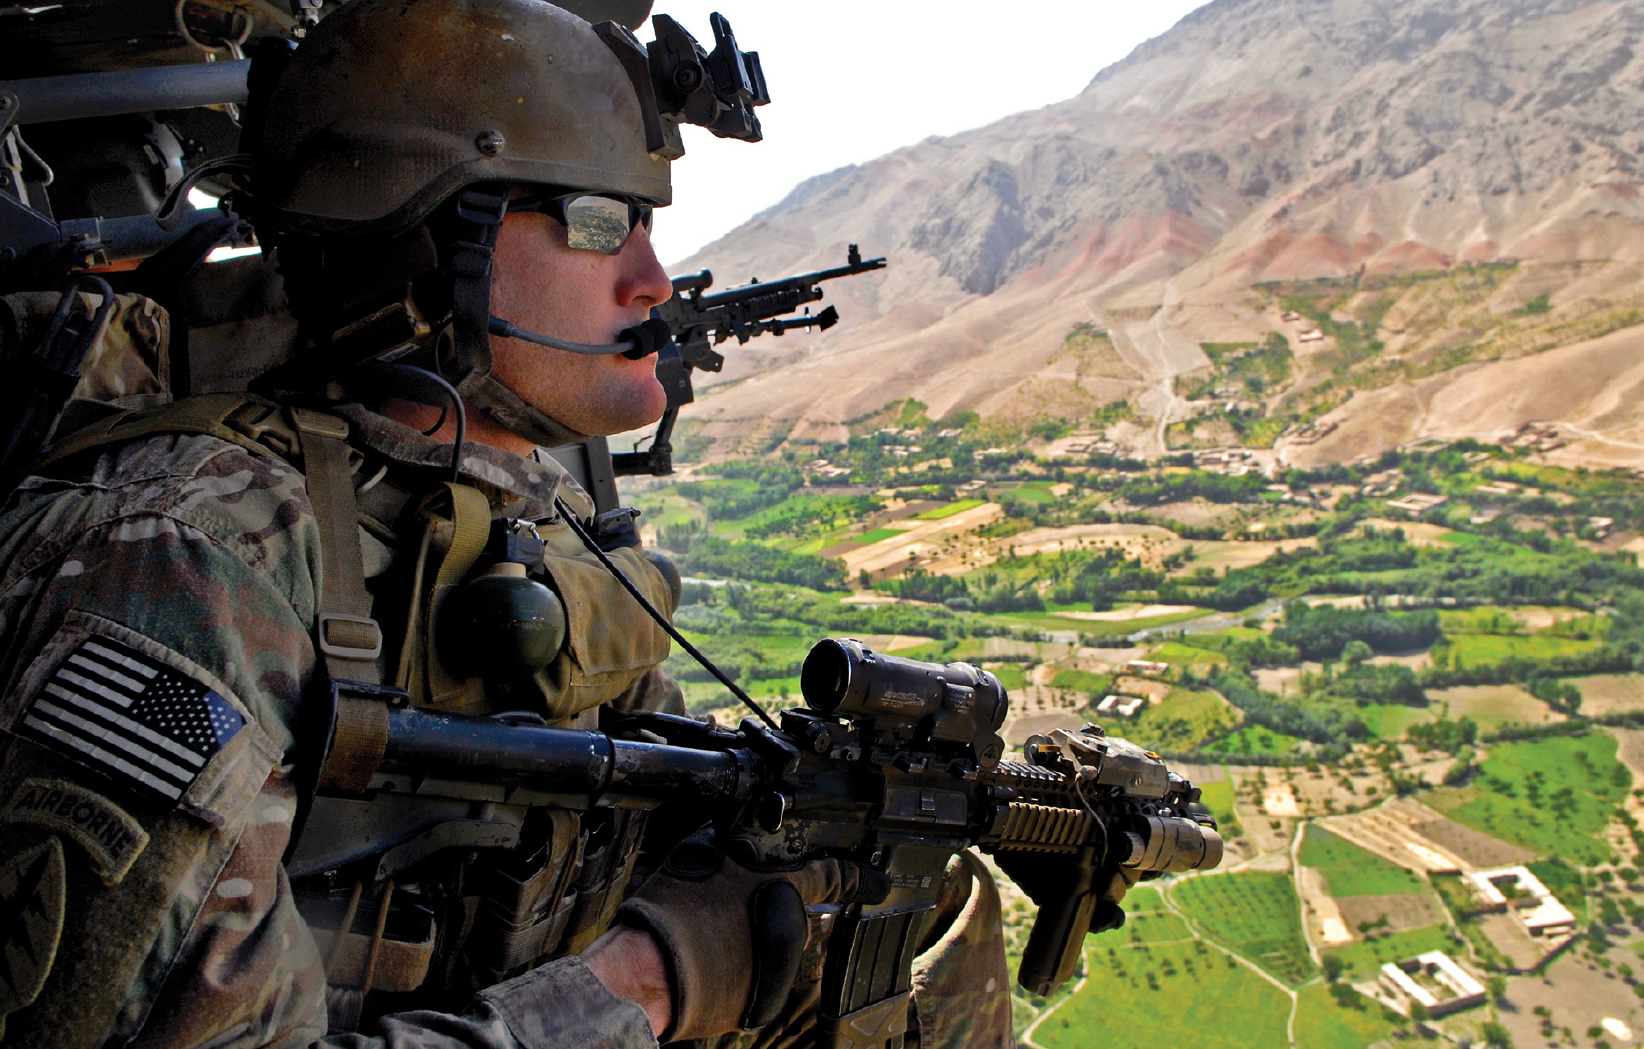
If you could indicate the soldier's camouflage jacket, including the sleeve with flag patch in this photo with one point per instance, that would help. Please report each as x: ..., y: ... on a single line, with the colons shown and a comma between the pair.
x: 157, y: 616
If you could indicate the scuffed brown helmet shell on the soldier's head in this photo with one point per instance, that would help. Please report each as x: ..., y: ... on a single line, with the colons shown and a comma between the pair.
x: 390, y: 108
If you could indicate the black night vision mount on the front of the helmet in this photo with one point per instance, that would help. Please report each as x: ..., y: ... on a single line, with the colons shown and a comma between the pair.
x: 681, y: 83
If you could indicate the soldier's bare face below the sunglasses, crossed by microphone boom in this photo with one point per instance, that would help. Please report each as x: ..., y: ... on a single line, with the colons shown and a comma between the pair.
x: 545, y: 285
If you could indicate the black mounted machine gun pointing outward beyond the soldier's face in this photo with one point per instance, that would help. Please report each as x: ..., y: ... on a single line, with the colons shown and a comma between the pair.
x: 703, y: 321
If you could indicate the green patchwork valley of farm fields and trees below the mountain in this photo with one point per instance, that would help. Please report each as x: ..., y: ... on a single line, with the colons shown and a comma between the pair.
x: 1362, y: 665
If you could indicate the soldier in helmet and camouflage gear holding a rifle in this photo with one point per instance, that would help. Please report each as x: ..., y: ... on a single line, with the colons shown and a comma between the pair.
x: 177, y: 586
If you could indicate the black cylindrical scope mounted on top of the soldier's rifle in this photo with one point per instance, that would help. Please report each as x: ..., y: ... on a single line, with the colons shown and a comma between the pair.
x: 958, y: 703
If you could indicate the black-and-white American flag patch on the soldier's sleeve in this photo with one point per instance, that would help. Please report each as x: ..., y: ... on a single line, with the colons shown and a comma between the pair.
x: 132, y: 718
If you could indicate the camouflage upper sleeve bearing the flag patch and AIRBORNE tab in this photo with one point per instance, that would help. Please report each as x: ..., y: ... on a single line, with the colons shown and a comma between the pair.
x: 155, y: 649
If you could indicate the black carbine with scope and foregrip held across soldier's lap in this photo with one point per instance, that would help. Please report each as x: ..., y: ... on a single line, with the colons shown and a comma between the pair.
x: 895, y: 765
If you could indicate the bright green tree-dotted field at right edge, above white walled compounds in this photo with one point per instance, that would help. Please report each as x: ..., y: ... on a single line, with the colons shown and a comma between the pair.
x: 1551, y: 797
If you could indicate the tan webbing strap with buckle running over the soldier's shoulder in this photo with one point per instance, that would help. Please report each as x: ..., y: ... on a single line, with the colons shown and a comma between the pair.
x: 348, y: 637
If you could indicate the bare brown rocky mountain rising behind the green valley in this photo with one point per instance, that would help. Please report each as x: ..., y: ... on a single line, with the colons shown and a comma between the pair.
x: 1448, y: 185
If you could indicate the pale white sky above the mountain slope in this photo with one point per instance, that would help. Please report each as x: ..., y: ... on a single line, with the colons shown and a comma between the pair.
x: 854, y: 80
